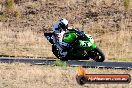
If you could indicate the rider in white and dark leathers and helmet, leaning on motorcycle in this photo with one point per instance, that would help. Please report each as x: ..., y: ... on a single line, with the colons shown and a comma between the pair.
x: 59, y: 30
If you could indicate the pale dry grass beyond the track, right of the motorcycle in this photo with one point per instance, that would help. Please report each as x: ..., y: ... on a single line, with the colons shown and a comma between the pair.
x: 116, y: 45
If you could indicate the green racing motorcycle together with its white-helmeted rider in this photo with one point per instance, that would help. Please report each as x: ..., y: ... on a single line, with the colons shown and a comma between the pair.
x: 73, y: 44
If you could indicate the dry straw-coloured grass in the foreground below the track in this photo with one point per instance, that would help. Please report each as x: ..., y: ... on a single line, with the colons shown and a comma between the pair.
x: 30, y: 76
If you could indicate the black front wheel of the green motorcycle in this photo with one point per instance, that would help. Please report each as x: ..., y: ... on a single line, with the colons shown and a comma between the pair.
x: 98, y: 55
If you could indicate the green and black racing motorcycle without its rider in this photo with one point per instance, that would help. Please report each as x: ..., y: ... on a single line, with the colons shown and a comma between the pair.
x: 82, y: 46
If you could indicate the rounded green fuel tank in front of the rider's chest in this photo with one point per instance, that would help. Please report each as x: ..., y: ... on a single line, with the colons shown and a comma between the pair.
x: 69, y: 37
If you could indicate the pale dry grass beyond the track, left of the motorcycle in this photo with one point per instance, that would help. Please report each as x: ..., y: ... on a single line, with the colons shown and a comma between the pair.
x: 27, y: 43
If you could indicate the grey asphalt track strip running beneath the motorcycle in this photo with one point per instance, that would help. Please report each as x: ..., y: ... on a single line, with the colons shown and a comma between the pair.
x: 87, y: 64
